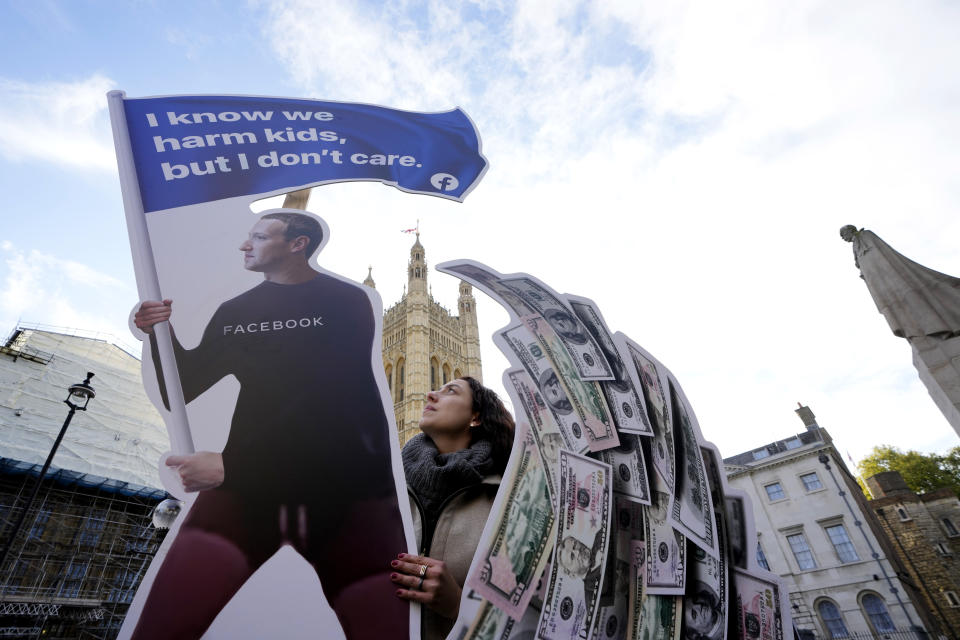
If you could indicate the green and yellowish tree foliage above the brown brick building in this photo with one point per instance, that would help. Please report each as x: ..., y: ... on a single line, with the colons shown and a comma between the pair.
x: 923, y: 472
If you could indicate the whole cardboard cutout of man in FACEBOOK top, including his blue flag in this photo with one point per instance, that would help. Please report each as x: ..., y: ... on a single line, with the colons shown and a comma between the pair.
x: 266, y: 367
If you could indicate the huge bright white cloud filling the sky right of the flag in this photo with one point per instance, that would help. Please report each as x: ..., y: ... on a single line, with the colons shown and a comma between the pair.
x: 688, y: 166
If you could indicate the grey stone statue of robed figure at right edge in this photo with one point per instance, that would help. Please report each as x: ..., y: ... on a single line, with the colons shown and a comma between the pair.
x: 921, y: 305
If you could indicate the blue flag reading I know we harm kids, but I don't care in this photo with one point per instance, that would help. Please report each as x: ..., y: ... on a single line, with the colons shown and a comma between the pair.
x: 192, y: 149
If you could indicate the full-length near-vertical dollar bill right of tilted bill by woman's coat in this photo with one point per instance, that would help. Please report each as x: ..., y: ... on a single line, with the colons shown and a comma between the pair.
x: 570, y: 604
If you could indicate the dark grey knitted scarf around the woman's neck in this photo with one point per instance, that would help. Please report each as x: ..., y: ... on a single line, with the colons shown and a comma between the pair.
x: 433, y: 476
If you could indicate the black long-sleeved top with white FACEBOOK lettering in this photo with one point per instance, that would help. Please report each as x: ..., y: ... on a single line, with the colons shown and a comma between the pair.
x: 309, y: 422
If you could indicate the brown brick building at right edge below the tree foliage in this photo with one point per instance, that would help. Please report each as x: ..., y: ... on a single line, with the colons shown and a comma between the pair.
x: 925, y: 529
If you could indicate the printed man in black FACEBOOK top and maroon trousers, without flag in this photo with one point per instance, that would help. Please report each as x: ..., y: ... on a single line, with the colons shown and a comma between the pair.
x: 307, y: 459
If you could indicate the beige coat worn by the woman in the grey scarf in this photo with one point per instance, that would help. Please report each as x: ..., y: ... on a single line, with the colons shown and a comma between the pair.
x: 454, y: 541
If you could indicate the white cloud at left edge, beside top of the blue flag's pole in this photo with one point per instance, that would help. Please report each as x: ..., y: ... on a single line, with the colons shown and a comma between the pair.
x: 60, y: 122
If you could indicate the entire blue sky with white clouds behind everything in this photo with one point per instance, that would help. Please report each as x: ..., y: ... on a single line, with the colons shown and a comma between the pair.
x: 687, y: 165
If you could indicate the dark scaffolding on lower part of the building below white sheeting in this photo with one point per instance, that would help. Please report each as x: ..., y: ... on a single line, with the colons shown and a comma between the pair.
x: 77, y: 561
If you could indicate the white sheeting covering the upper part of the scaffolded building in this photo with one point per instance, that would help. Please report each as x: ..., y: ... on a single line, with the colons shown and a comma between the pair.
x: 121, y: 436
